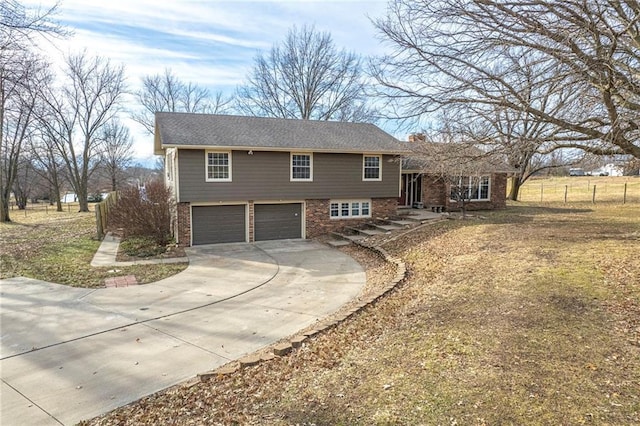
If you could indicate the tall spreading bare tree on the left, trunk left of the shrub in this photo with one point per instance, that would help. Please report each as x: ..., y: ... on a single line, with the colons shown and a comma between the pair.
x: 88, y: 99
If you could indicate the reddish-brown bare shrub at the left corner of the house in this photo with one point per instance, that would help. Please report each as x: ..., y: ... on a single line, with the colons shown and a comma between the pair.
x: 144, y: 212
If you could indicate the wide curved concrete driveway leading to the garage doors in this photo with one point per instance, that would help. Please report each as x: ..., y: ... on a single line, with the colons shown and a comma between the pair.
x: 69, y: 354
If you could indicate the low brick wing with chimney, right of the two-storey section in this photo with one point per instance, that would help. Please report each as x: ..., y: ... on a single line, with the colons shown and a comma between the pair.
x: 431, y: 171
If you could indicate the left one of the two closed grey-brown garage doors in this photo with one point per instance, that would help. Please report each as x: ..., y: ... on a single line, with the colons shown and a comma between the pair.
x: 218, y: 224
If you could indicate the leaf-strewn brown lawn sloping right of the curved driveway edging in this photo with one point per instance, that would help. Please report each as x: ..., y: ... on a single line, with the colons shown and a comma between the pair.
x: 530, y: 315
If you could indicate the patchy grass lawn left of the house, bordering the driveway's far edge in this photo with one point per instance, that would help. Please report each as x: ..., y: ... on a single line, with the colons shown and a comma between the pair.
x: 59, y: 246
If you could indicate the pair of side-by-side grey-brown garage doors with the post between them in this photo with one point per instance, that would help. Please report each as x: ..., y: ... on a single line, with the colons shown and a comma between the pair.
x: 230, y: 223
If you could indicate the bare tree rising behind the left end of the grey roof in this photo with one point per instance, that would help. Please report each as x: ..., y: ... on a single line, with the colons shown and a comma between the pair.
x: 167, y: 93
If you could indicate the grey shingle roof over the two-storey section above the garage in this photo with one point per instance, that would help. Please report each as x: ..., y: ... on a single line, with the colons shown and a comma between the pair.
x: 230, y: 131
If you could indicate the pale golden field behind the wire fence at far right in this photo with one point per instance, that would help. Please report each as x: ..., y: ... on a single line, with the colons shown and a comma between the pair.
x: 580, y: 189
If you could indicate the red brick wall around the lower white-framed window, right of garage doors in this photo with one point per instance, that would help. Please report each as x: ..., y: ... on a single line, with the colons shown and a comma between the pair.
x: 319, y: 223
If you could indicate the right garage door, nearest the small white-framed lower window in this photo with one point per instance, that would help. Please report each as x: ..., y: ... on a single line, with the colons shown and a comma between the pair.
x: 277, y: 221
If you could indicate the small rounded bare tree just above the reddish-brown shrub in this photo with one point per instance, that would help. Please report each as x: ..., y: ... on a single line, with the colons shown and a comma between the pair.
x: 117, y: 151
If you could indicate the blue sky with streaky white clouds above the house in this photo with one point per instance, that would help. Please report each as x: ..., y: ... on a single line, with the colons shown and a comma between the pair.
x: 210, y: 42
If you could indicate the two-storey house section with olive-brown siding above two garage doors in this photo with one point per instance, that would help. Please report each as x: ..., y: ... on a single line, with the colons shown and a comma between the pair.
x: 246, y: 179
